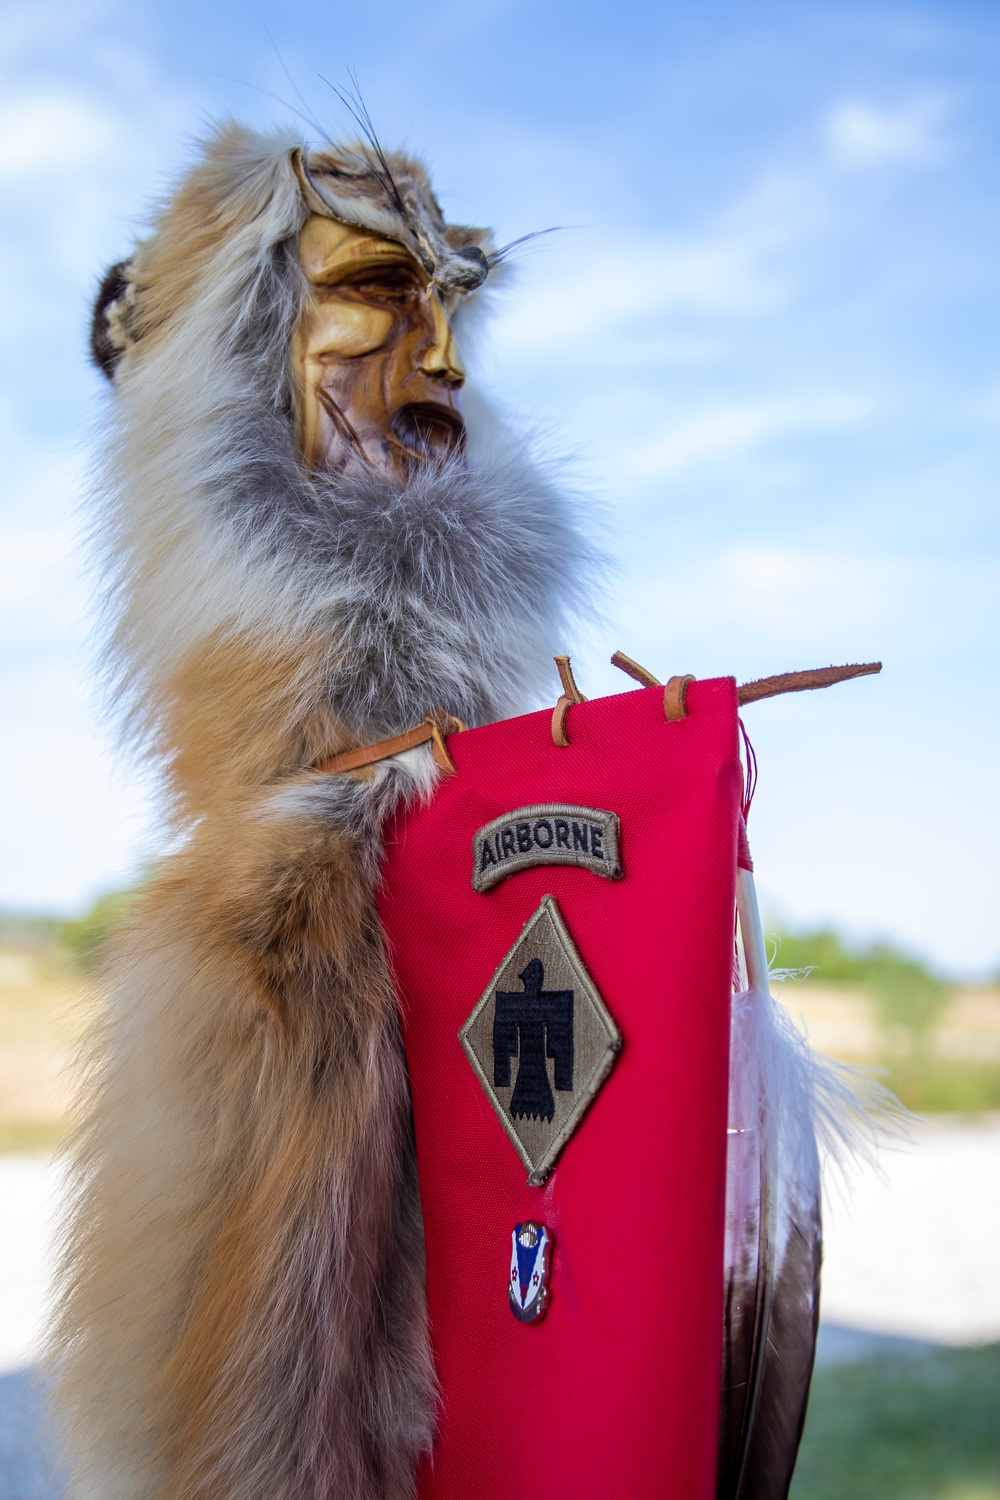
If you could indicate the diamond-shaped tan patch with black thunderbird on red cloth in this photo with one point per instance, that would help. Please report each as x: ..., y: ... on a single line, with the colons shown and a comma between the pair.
x: 542, y: 1042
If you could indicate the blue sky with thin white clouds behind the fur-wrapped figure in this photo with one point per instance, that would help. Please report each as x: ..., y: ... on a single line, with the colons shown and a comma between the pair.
x: 765, y: 346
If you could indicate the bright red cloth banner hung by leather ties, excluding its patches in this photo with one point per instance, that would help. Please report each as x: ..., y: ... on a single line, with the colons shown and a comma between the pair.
x: 615, y: 1391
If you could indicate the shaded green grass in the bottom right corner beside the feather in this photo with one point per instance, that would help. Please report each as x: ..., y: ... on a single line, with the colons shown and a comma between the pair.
x: 921, y: 1429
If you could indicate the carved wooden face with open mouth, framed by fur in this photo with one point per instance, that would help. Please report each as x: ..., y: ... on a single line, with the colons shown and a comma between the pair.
x: 377, y: 367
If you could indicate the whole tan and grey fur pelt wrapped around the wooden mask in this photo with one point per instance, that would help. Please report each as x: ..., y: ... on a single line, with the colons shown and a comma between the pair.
x: 242, y: 1315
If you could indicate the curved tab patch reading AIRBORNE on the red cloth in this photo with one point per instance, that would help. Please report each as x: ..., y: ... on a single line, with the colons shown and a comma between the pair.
x: 548, y: 833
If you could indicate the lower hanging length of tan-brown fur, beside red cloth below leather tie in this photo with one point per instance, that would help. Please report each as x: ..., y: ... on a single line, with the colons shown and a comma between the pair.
x: 244, y: 1309
